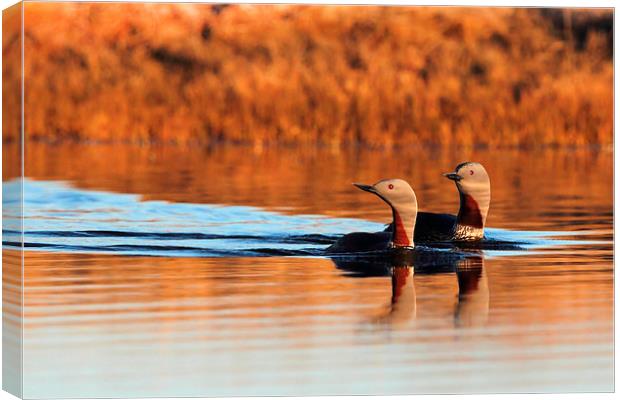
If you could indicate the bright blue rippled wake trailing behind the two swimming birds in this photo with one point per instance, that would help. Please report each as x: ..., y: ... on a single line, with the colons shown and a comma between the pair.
x: 58, y: 217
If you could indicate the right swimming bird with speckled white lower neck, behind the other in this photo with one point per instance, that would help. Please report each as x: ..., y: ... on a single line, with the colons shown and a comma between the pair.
x: 474, y: 186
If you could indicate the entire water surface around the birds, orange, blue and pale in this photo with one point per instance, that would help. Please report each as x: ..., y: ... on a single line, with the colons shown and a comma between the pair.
x: 171, y: 272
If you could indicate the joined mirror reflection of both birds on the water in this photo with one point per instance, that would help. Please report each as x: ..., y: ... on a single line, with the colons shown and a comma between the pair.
x: 472, y: 306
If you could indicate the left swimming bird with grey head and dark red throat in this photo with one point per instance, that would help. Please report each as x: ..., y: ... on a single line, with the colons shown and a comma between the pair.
x: 401, y: 198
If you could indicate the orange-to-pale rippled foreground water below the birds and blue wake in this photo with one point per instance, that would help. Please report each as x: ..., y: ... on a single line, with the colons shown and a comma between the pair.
x: 146, y: 313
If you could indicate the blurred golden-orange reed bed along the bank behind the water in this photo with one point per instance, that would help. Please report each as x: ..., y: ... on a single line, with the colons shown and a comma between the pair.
x: 379, y: 76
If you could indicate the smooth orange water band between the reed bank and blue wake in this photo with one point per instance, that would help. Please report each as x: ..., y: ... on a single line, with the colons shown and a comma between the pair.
x: 529, y: 188
